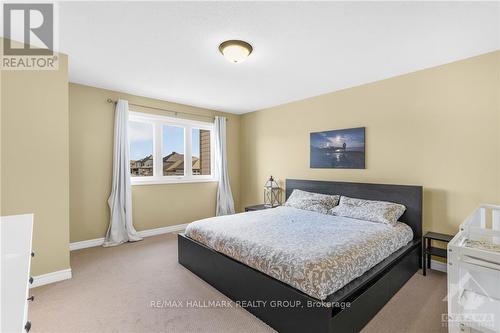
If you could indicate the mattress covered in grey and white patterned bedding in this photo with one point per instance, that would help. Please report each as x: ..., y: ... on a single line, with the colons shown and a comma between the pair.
x: 315, y: 253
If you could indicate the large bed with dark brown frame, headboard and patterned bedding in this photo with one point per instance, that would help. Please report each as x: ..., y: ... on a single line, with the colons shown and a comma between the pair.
x: 257, y: 266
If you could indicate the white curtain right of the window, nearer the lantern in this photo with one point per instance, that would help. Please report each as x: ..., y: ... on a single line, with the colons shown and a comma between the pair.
x: 225, y: 203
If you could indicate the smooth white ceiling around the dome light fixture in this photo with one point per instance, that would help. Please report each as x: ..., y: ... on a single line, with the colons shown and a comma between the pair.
x: 301, y: 49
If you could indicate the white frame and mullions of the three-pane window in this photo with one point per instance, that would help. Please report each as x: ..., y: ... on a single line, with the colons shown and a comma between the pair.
x: 158, y: 122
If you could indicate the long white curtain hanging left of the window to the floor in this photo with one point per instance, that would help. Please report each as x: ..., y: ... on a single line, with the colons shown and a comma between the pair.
x: 120, y: 228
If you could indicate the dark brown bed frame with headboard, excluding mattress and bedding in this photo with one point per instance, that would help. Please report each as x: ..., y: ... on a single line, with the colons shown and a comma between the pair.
x: 287, y: 309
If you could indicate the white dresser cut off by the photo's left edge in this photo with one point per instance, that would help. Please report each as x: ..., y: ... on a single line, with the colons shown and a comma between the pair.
x: 15, y: 235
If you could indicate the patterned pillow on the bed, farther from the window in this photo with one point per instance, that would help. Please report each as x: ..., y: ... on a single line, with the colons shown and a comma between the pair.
x: 369, y: 210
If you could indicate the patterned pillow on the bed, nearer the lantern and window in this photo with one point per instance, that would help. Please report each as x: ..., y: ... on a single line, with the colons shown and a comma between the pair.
x: 316, y: 202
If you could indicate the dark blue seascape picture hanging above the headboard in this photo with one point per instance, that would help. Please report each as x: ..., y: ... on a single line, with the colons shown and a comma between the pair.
x: 343, y: 149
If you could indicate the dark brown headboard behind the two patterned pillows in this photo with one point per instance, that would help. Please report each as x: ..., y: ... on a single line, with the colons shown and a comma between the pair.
x: 408, y: 195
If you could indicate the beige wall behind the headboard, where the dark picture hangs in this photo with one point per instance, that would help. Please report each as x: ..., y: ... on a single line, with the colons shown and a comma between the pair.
x: 438, y: 128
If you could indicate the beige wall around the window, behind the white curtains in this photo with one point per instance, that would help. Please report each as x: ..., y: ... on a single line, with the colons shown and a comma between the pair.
x: 154, y: 206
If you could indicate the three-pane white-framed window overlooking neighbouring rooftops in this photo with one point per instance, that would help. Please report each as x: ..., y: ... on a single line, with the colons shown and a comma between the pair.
x: 169, y: 150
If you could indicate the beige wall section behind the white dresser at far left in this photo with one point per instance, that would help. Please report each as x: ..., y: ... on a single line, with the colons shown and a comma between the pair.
x: 35, y: 159
